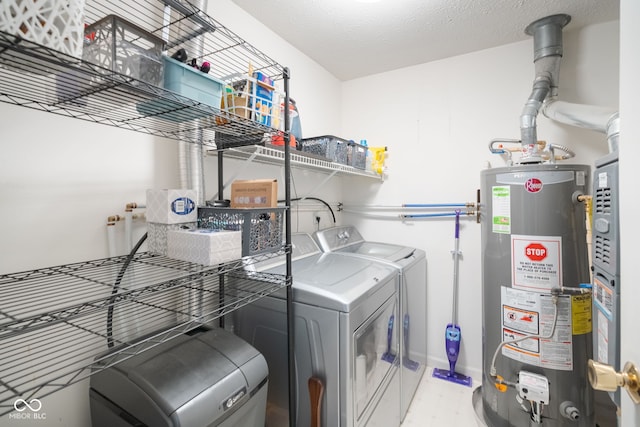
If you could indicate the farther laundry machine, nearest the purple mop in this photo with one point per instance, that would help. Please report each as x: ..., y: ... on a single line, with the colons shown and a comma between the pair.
x: 411, y: 265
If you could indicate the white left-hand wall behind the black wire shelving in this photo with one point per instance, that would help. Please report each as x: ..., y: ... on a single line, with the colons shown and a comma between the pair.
x: 60, y: 179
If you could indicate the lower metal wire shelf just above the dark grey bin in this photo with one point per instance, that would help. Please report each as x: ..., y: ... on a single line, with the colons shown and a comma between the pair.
x: 54, y: 322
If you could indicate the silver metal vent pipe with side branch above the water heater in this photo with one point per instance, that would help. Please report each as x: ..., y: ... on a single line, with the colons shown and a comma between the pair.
x: 547, y: 40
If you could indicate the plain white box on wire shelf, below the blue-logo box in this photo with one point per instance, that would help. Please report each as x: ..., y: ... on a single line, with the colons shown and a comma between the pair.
x: 203, y: 246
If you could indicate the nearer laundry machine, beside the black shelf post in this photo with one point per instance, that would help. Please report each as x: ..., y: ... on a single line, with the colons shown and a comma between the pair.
x: 342, y: 311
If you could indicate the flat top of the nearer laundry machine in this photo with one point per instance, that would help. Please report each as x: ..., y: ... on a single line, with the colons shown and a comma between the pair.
x: 333, y: 281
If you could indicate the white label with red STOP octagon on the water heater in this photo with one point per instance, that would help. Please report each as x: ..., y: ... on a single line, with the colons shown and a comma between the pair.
x: 535, y: 262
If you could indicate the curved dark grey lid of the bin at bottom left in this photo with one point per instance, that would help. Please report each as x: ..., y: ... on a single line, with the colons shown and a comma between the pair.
x: 211, y: 363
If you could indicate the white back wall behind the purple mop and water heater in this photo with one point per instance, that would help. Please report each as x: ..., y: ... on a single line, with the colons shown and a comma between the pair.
x: 437, y: 120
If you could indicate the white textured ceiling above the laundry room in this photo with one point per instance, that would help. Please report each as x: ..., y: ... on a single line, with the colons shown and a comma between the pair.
x: 352, y: 38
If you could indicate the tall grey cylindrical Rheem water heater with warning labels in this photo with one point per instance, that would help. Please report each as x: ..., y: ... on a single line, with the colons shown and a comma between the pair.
x: 537, y: 328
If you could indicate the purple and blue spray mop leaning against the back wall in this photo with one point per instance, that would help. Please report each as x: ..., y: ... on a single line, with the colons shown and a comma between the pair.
x: 453, y: 334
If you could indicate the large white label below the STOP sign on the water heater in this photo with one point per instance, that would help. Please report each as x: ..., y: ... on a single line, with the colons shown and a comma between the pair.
x: 527, y: 326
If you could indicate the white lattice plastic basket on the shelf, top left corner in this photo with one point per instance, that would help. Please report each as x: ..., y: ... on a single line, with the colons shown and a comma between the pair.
x: 55, y: 24
